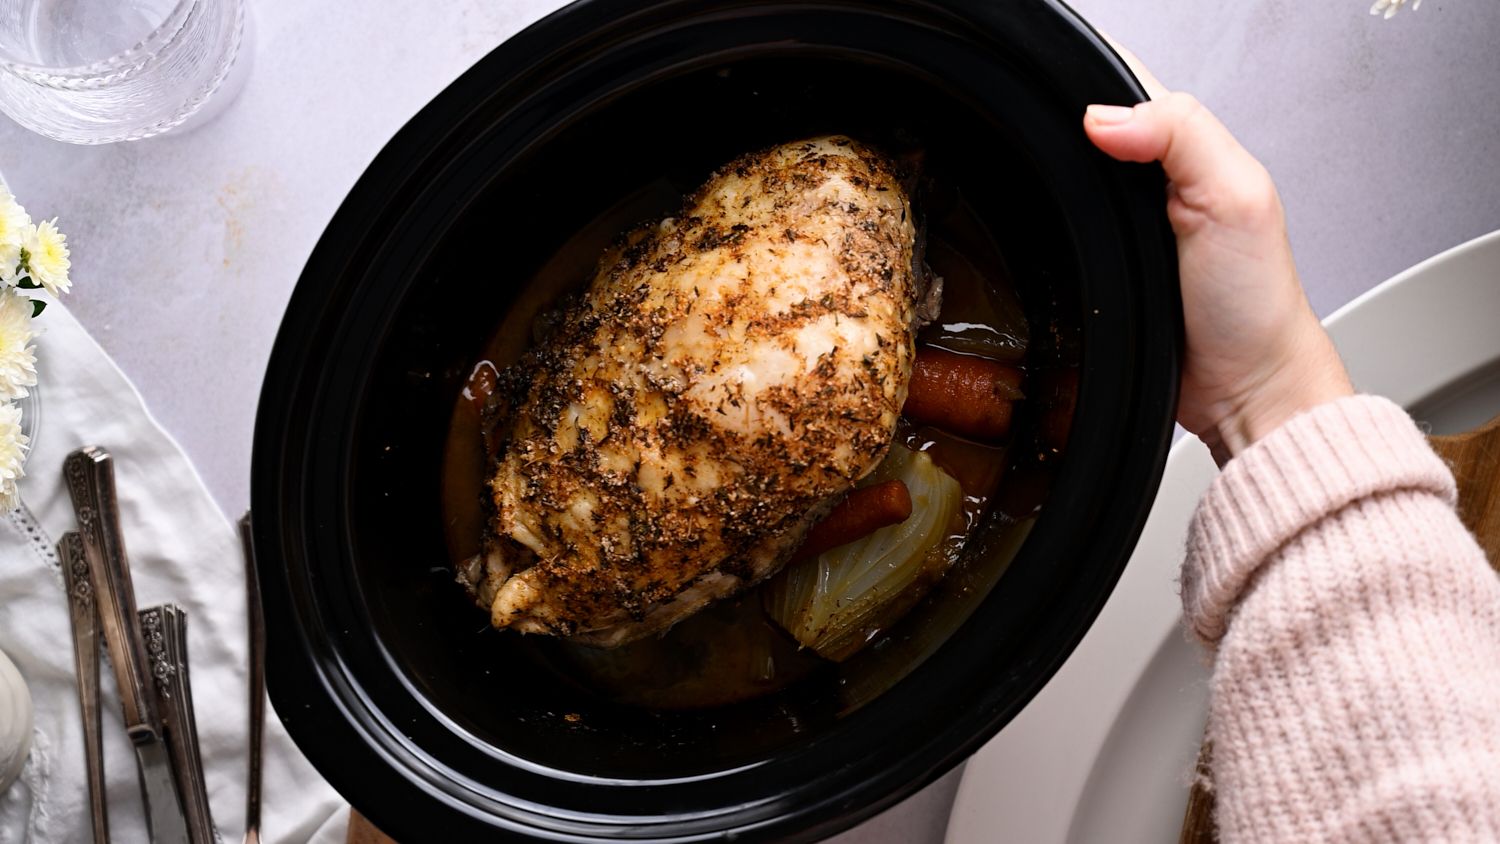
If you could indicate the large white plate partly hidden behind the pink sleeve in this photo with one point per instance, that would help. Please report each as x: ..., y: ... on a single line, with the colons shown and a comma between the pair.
x: 1106, y: 750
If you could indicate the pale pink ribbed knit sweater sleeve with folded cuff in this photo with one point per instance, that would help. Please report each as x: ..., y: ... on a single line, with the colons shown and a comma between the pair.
x: 1357, y: 633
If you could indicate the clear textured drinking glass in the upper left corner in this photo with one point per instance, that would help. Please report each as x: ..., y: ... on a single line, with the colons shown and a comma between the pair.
x: 104, y: 71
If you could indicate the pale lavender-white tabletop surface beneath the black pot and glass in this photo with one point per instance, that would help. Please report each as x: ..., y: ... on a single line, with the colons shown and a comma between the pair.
x: 1384, y: 137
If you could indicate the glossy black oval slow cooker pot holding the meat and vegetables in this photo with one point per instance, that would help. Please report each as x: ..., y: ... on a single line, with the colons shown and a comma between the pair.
x: 440, y: 729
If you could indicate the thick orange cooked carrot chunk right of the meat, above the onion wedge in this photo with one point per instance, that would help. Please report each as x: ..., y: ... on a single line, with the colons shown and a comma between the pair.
x: 964, y: 395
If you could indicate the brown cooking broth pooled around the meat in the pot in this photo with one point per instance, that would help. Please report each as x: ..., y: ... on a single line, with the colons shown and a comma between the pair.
x: 731, y: 651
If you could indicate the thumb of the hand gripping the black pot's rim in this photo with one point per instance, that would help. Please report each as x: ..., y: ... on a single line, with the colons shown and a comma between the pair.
x: 1192, y: 145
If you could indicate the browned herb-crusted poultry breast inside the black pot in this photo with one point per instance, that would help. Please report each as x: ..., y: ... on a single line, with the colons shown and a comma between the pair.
x: 728, y: 376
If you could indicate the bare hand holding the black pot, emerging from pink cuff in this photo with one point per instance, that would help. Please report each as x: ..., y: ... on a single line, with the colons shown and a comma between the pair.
x: 1256, y: 352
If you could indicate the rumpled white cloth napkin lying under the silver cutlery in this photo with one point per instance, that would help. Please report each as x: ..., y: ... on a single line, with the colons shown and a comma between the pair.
x: 184, y: 551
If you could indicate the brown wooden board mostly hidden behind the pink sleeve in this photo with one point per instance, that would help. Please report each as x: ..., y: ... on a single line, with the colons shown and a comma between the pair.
x: 1475, y: 459
